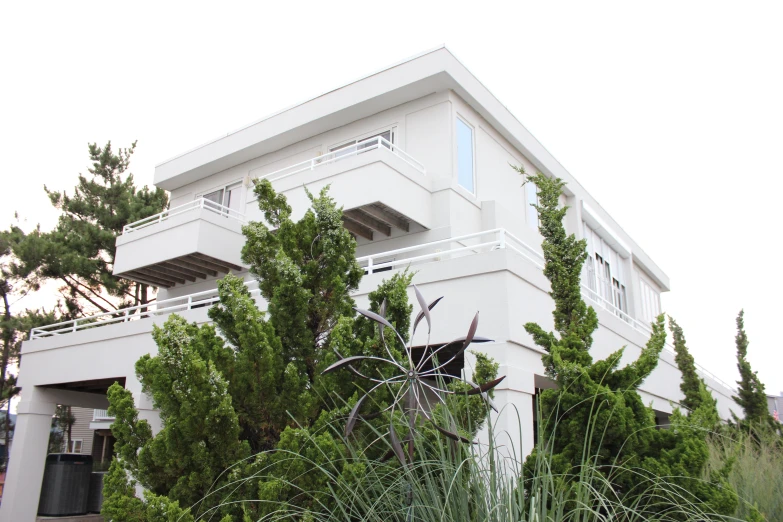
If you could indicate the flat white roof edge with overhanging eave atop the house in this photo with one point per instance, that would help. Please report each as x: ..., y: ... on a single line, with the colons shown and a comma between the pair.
x: 432, y: 71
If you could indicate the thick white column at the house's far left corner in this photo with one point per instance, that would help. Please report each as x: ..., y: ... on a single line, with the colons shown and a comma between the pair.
x: 26, y: 462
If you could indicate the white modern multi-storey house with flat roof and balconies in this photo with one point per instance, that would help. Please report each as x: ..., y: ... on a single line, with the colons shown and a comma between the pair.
x: 418, y: 154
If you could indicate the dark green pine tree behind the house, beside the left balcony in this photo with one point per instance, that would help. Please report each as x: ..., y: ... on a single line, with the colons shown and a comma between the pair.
x: 79, y: 252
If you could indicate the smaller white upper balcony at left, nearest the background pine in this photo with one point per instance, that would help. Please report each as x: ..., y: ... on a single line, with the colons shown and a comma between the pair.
x: 182, y: 244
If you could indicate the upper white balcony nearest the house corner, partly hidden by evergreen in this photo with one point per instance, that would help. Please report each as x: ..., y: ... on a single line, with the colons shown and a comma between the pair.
x: 383, y: 189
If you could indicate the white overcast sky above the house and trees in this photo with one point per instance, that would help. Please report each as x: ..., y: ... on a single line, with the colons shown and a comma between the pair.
x: 669, y: 113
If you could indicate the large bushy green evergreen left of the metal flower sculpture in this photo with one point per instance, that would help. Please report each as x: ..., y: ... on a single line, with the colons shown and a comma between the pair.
x: 252, y: 381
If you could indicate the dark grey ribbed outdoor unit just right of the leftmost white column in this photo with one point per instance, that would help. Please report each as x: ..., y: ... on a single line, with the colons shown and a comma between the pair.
x: 66, y: 485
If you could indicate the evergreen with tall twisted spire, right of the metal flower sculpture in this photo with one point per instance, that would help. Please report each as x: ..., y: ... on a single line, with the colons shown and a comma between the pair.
x: 595, y: 415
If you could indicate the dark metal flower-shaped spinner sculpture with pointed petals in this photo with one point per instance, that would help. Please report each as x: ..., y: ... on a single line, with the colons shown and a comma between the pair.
x: 412, y: 377
